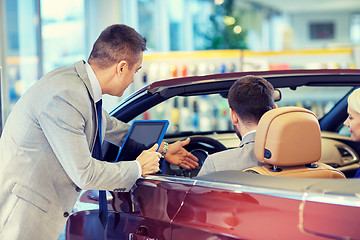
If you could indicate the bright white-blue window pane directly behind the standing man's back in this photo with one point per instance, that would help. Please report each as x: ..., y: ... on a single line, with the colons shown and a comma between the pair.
x: 63, y: 32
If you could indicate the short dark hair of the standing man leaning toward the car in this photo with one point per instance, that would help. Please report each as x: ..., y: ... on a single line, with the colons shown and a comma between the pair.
x: 116, y: 43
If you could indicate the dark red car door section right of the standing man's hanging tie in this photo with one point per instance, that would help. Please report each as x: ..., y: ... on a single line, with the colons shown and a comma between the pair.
x: 148, y: 212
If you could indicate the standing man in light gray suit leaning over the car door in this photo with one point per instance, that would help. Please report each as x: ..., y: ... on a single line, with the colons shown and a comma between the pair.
x: 47, y: 143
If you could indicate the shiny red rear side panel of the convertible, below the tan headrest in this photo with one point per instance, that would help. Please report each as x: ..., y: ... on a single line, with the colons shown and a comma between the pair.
x: 227, y: 212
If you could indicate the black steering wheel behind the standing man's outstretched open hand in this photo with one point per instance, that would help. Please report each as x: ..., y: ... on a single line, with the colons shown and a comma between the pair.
x: 199, y: 146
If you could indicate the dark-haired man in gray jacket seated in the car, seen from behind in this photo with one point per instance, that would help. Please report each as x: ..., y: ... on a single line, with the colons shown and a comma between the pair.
x: 249, y: 98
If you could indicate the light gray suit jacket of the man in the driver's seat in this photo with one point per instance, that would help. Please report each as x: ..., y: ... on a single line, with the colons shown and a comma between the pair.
x: 233, y: 159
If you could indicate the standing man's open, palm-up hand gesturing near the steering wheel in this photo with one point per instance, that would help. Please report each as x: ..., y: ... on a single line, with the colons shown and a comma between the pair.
x: 178, y: 155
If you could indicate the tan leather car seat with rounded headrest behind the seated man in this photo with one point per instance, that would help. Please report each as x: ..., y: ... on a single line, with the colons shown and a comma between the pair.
x: 288, y: 142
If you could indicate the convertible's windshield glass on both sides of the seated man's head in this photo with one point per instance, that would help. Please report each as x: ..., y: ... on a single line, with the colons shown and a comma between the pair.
x: 210, y: 113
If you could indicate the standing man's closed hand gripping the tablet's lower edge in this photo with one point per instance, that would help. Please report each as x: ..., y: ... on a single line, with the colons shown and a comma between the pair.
x: 149, y: 160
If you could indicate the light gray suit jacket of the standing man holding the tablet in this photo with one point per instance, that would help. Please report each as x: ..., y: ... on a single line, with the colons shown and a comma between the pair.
x: 45, y: 155
